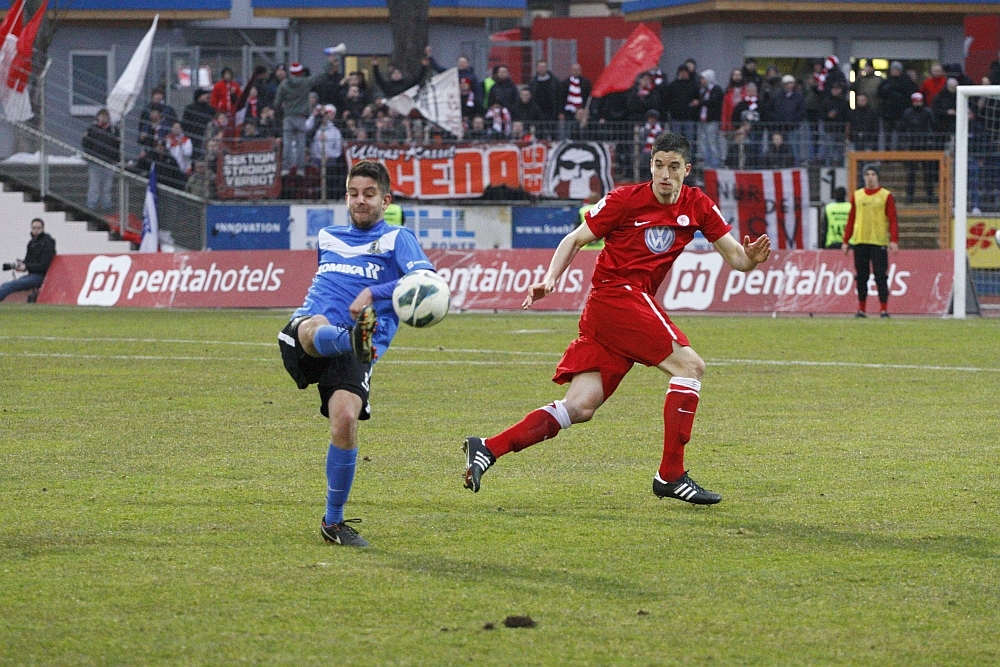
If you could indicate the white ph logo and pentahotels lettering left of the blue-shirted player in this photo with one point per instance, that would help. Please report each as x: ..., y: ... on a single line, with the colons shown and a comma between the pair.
x: 106, y: 278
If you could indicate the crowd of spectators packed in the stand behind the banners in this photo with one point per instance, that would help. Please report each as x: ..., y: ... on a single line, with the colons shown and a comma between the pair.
x: 752, y: 119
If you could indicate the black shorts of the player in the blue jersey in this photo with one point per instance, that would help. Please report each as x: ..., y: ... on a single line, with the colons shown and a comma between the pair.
x: 343, y: 372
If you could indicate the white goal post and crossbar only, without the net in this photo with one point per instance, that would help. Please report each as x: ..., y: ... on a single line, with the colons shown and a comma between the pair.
x: 964, y: 93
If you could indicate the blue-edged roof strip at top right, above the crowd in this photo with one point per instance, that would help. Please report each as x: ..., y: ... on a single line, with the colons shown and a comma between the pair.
x: 825, y: 10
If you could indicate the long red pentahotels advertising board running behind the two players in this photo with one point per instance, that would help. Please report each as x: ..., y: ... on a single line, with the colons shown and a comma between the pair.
x: 792, y: 281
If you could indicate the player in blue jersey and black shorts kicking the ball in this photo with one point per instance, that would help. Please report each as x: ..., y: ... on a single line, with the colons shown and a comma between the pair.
x: 347, y: 319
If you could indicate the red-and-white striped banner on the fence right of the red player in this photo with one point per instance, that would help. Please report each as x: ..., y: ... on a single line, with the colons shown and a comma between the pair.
x: 775, y: 203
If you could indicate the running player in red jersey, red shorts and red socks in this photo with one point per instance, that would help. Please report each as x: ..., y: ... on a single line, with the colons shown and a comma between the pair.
x: 644, y: 227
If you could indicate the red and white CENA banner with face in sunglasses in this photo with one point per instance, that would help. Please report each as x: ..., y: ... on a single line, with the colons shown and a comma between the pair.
x: 560, y: 169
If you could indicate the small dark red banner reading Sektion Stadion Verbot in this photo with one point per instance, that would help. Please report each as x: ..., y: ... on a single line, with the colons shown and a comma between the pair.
x: 249, y: 169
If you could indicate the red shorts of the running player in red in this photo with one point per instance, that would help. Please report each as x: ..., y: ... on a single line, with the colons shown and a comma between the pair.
x: 619, y: 327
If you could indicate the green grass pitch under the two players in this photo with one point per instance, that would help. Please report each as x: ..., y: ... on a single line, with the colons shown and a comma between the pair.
x: 162, y: 482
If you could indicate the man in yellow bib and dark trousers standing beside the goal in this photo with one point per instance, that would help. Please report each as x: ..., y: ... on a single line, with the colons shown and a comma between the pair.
x: 871, y: 226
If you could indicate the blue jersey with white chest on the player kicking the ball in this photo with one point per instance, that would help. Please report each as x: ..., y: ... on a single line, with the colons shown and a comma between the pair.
x: 349, y: 261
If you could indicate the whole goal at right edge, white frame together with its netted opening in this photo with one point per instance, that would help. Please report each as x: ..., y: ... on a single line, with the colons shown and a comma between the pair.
x: 977, y: 198
